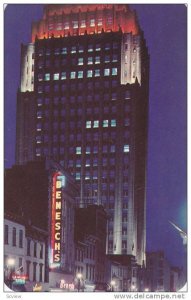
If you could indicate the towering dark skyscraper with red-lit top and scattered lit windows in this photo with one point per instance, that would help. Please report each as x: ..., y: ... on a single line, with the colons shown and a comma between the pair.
x: 83, y: 101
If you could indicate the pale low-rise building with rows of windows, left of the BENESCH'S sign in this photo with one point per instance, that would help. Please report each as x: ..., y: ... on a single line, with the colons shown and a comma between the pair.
x: 25, y: 258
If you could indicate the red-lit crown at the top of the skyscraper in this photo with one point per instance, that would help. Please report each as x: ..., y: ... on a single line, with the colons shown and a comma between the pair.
x: 67, y: 19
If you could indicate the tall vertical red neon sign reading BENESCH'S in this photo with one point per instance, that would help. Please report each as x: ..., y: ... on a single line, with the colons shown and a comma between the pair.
x: 58, y: 182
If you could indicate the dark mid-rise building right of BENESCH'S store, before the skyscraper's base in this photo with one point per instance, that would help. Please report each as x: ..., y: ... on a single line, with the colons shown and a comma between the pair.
x: 90, y: 238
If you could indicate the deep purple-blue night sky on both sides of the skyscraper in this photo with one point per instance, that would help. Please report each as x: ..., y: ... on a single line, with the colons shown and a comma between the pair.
x: 164, y: 28
